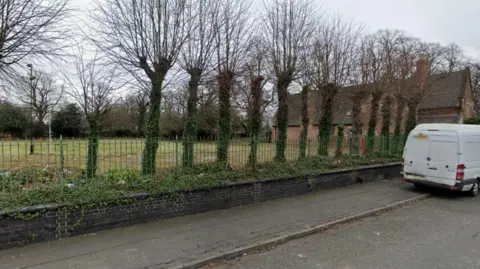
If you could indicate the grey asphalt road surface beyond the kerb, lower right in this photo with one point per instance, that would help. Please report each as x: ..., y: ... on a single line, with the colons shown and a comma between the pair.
x: 440, y: 232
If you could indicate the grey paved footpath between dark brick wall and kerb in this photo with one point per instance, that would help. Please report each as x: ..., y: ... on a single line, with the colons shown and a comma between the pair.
x: 165, y: 244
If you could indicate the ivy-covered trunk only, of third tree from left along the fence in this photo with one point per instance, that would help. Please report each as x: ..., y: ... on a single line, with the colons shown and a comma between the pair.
x: 190, y: 129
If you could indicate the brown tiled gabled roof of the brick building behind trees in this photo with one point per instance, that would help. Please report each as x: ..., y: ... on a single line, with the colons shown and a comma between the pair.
x: 444, y: 91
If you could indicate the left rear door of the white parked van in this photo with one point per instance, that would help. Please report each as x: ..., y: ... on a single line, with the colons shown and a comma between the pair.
x: 415, y: 155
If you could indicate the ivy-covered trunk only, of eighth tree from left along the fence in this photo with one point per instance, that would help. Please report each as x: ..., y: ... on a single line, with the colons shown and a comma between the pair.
x: 325, y: 125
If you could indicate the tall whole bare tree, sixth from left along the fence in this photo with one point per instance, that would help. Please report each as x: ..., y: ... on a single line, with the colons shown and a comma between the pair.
x: 288, y: 28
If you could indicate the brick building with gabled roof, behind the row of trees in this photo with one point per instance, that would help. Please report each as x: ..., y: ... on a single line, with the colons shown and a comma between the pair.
x: 447, y: 99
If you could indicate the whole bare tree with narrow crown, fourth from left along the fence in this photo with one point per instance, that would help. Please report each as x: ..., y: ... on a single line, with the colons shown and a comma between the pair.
x: 232, y: 34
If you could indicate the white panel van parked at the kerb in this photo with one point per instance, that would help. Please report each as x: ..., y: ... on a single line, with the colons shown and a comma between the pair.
x: 443, y: 155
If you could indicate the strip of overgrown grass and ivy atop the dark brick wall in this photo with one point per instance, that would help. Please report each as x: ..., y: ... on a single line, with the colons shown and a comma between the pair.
x: 31, y: 187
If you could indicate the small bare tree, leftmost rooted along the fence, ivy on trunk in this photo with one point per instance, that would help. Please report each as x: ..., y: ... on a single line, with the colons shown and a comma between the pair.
x: 94, y: 90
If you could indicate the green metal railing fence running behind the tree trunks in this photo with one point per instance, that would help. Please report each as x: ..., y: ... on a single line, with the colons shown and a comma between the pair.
x: 123, y: 153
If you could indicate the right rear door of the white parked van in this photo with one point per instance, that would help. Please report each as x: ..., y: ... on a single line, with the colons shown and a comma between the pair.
x: 443, y: 157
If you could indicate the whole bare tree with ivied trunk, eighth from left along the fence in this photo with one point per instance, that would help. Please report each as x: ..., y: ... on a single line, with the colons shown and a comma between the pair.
x: 334, y: 62
